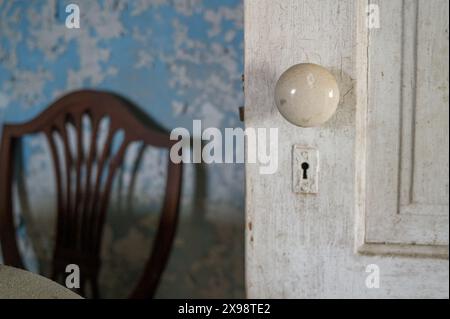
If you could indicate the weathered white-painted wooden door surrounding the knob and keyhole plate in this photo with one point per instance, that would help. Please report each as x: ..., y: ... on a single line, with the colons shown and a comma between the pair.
x: 382, y: 206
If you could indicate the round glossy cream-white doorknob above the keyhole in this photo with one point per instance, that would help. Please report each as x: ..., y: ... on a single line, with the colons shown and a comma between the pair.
x: 307, y: 94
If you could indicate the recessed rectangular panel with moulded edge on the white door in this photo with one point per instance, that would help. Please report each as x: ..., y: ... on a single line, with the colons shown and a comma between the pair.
x: 406, y: 128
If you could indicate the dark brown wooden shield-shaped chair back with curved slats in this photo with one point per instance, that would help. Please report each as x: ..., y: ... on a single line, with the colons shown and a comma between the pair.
x: 82, y: 192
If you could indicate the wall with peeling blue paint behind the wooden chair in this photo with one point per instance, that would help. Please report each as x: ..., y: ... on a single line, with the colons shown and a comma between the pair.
x: 178, y: 60
